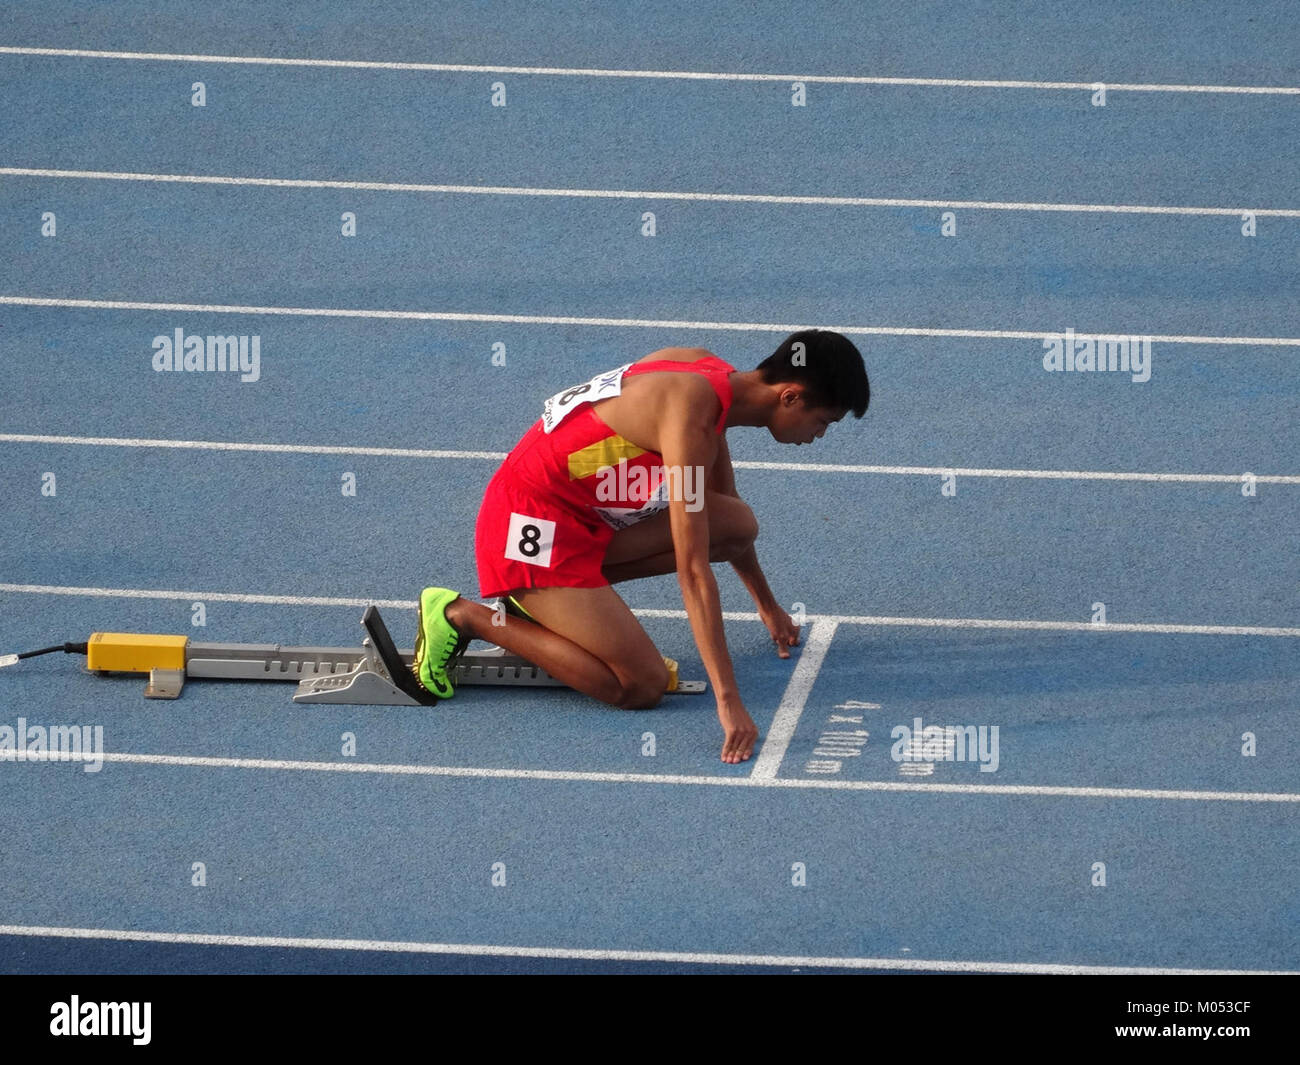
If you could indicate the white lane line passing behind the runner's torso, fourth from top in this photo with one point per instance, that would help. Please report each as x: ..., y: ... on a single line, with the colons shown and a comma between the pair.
x: 798, y: 467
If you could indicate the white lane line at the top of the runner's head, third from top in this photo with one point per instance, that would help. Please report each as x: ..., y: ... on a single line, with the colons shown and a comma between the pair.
x: 739, y: 327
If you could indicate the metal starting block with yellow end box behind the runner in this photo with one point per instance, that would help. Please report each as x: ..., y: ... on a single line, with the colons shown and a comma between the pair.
x: 376, y: 674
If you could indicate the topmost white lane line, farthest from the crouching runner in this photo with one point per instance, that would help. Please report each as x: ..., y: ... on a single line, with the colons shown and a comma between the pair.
x: 595, y: 72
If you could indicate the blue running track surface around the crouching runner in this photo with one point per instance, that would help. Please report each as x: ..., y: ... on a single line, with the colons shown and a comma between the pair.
x: 1116, y: 746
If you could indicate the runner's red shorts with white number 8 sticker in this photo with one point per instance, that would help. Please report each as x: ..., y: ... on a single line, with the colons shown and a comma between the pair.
x: 527, y: 540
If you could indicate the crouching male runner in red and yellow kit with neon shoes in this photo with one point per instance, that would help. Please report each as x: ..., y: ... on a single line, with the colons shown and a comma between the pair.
x: 630, y: 477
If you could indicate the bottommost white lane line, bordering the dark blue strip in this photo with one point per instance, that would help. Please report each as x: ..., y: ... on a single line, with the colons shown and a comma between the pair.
x: 577, y: 954
